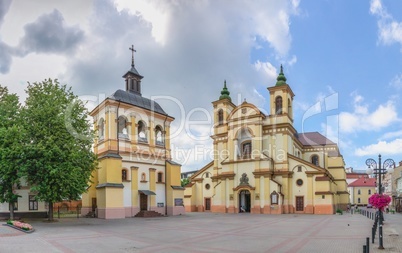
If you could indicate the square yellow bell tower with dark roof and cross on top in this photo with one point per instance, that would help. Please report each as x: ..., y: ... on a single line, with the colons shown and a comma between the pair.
x: 135, y: 175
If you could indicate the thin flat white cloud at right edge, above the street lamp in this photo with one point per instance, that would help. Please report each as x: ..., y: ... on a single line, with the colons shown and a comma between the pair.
x: 382, y: 147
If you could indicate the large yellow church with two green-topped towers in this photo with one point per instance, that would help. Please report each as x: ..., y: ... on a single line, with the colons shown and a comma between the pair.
x: 263, y: 165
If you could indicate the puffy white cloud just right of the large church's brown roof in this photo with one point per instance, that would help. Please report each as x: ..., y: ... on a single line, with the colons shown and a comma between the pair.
x: 361, y: 119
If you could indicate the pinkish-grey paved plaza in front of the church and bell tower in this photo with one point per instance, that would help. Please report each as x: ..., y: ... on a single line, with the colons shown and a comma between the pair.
x: 205, y: 232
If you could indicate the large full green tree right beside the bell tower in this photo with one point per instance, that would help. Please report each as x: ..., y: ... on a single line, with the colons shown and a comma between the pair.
x: 59, y: 154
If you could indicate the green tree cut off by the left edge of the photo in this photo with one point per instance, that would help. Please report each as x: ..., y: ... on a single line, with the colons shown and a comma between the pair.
x: 11, y: 148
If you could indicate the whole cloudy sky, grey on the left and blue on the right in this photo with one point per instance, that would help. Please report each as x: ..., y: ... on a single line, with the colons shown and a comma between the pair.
x: 343, y: 60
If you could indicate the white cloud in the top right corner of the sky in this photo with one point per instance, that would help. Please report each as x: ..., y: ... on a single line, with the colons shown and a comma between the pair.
x: 389, y: 29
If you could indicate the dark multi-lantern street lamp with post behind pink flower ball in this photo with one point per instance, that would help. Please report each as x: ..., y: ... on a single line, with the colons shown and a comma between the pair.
x: 372, y: 169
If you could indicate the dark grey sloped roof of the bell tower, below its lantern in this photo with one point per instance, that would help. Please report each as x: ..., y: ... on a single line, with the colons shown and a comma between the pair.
x: 137, y: 100
